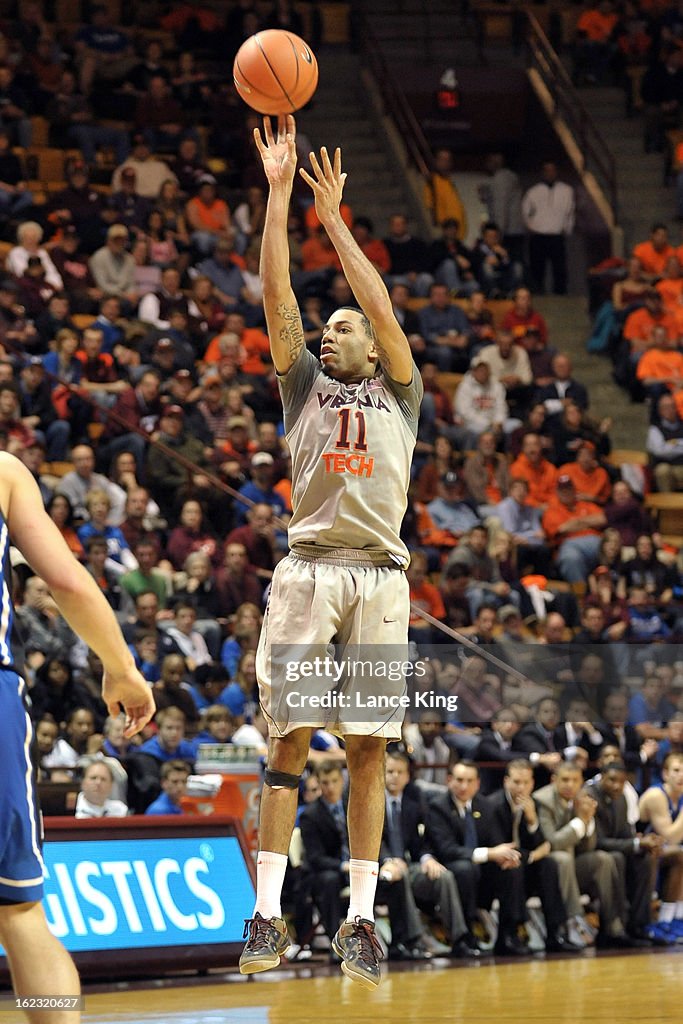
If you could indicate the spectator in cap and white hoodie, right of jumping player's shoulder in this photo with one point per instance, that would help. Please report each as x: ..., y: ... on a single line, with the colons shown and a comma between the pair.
x: 480, y: 406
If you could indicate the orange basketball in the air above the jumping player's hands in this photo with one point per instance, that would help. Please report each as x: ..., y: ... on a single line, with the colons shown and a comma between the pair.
x: 276, y: 72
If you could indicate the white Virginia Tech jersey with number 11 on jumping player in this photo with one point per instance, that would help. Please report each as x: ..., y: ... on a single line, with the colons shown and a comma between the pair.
x: 352, y: 450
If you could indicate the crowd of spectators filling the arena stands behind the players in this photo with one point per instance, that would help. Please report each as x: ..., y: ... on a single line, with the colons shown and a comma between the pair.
x: 137, y: 386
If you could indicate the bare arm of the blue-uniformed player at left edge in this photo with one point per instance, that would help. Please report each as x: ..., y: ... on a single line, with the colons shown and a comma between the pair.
x: 78, y: 596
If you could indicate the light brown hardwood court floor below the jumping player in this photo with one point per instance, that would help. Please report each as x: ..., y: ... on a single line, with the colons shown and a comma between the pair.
x: 635, y: 989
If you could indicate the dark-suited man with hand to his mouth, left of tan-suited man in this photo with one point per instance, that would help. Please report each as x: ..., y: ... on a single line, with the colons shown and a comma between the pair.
x: 514, y: 818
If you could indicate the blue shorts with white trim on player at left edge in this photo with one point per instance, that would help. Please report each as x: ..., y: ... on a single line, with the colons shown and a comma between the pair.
x: 21, y: 860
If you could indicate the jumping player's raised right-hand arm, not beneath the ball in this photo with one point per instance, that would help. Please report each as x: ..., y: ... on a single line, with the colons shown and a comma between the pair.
x: 367, y: 285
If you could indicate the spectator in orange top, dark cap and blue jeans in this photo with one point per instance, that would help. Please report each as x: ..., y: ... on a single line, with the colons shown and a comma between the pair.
x: 574, y: 527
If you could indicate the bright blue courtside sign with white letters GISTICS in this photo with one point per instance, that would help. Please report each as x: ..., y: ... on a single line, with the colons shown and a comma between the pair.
x: 154, y: 890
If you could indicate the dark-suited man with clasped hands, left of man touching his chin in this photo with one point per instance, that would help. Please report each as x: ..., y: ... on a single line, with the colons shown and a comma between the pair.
x: 458, y: 829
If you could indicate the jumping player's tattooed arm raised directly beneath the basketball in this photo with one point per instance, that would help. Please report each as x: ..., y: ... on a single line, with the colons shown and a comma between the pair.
x: 282, y: 311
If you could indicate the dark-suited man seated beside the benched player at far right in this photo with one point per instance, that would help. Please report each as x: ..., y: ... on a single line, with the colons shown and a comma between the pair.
x: 638, y: 854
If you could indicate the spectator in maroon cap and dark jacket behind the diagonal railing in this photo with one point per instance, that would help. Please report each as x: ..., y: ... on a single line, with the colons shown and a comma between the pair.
x: 167, y: 478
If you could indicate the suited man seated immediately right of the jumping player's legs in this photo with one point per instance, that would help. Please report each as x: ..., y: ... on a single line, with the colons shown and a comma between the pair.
x: 406, y: 851
